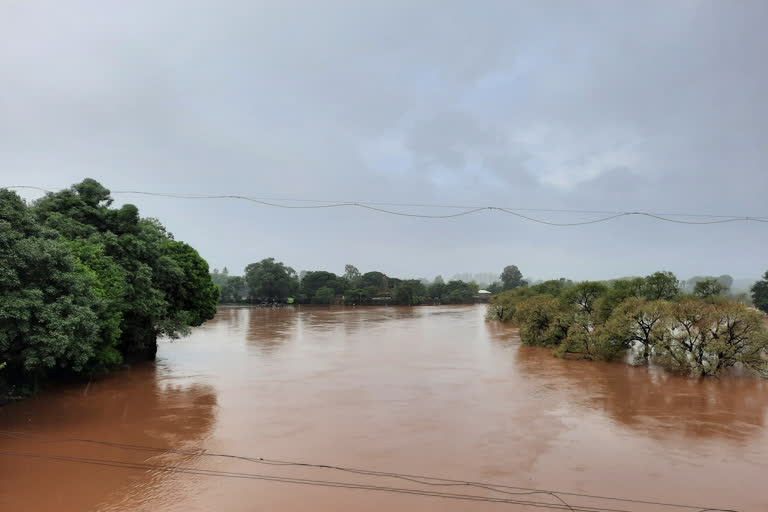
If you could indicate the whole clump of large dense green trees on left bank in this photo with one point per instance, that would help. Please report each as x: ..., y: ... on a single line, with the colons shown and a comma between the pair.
x: 85, y: 287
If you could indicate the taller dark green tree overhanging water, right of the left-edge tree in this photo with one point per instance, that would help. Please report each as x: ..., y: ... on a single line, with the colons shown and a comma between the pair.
x: 167, y: 286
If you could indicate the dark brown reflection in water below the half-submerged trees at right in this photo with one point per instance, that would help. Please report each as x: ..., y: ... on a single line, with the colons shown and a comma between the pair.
x: 649, y: 400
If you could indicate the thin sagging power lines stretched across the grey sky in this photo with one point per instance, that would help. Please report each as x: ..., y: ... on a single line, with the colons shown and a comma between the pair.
x: 467, y: 210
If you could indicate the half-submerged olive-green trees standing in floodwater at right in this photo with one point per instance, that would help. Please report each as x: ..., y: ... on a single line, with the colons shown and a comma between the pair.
x: 649, y: 318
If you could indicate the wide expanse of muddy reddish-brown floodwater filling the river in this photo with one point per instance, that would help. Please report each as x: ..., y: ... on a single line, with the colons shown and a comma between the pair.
x: 431, y: 391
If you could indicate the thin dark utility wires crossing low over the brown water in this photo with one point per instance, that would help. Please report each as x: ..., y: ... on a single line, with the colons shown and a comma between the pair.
x: 506, y: 490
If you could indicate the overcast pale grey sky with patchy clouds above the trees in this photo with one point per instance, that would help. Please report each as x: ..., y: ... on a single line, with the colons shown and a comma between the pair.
x: 652, y: 106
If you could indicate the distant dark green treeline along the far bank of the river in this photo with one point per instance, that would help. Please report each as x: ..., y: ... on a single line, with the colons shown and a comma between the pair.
x: 270, y: 281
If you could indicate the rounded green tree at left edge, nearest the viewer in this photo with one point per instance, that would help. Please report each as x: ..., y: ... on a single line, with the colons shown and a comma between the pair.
x: 48, y: 306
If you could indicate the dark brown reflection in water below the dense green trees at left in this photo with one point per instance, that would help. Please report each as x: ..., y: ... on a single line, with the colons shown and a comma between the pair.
x: 141, y: 407
